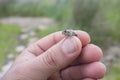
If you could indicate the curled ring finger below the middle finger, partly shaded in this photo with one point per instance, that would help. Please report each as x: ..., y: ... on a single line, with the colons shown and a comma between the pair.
x: 94, y: 70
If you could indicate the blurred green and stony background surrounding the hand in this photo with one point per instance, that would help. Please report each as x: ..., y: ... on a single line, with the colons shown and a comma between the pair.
x: 23, y: 22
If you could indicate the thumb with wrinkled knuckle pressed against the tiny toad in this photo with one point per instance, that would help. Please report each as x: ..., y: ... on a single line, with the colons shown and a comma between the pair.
x: 59, y: 56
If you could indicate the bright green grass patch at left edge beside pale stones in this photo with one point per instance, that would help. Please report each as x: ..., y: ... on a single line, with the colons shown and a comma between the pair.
x: 8, y: 40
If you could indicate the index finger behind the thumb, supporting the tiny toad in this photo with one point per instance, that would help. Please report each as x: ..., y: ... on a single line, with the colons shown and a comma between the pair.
x: 50, y: 40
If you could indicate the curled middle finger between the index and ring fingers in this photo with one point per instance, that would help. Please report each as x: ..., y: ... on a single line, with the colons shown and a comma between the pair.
x: 90, y: 53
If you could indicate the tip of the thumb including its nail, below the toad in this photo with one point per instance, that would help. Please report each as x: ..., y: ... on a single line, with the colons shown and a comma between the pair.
x: 72, y: 43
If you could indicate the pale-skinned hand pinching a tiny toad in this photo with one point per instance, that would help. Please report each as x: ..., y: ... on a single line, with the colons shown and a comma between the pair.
x: 56, y: 57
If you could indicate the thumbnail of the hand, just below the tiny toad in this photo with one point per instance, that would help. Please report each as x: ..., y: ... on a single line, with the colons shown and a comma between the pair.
x: 69, y: 45
